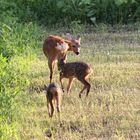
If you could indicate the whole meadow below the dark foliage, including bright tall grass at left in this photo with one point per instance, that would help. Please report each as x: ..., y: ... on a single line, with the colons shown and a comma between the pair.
x: 110, y: 112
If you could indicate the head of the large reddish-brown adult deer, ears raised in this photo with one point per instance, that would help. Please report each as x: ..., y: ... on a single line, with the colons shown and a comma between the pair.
x: 74, y: 43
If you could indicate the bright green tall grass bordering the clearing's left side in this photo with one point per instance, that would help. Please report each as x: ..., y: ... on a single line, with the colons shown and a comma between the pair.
x: 17, y: 49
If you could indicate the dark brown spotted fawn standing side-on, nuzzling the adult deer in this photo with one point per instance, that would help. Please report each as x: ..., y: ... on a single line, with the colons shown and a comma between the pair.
x: 75, y: 70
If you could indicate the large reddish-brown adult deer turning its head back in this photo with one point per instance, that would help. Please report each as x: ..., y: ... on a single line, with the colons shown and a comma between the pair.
x: 55, y: 47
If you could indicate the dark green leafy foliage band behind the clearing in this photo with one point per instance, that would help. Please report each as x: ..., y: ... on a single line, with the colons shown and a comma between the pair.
x: 67, y: 11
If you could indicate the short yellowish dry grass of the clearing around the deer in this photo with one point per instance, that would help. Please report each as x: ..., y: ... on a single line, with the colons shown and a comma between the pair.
x: 112, y: 110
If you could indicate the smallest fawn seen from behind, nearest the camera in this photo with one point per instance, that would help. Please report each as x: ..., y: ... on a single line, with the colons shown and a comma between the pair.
x: 53, y: 96
